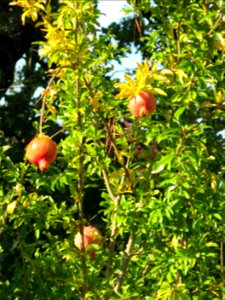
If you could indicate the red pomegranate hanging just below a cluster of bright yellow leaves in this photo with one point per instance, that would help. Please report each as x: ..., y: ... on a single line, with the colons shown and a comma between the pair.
x: 142, y: 105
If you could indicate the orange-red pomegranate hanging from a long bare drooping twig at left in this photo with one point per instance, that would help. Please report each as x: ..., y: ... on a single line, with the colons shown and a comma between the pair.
x: 41, y: 151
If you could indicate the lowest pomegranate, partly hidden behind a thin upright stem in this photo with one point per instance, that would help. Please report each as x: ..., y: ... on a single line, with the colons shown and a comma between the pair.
x: 91, y: 236
